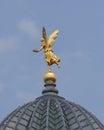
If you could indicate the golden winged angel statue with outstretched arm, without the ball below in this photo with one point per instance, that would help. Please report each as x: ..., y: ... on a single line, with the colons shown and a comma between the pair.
x: 46, y: 45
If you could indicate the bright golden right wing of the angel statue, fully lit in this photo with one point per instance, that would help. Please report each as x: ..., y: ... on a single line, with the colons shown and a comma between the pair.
x: 52, y: 37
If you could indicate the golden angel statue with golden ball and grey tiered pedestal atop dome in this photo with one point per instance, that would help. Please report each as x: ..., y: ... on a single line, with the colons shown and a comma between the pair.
x: 50, y: 57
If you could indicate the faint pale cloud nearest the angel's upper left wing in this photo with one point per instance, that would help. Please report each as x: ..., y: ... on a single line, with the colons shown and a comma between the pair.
x: 28, y: 27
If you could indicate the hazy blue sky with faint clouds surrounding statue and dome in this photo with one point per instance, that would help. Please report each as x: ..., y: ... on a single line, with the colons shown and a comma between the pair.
x: 80, y: 45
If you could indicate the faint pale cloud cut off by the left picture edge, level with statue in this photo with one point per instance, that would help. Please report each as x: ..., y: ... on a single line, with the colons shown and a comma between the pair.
x: 8, y: 44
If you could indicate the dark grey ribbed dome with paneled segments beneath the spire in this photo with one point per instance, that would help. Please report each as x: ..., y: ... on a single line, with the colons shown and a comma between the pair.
x: 51, y: 112
